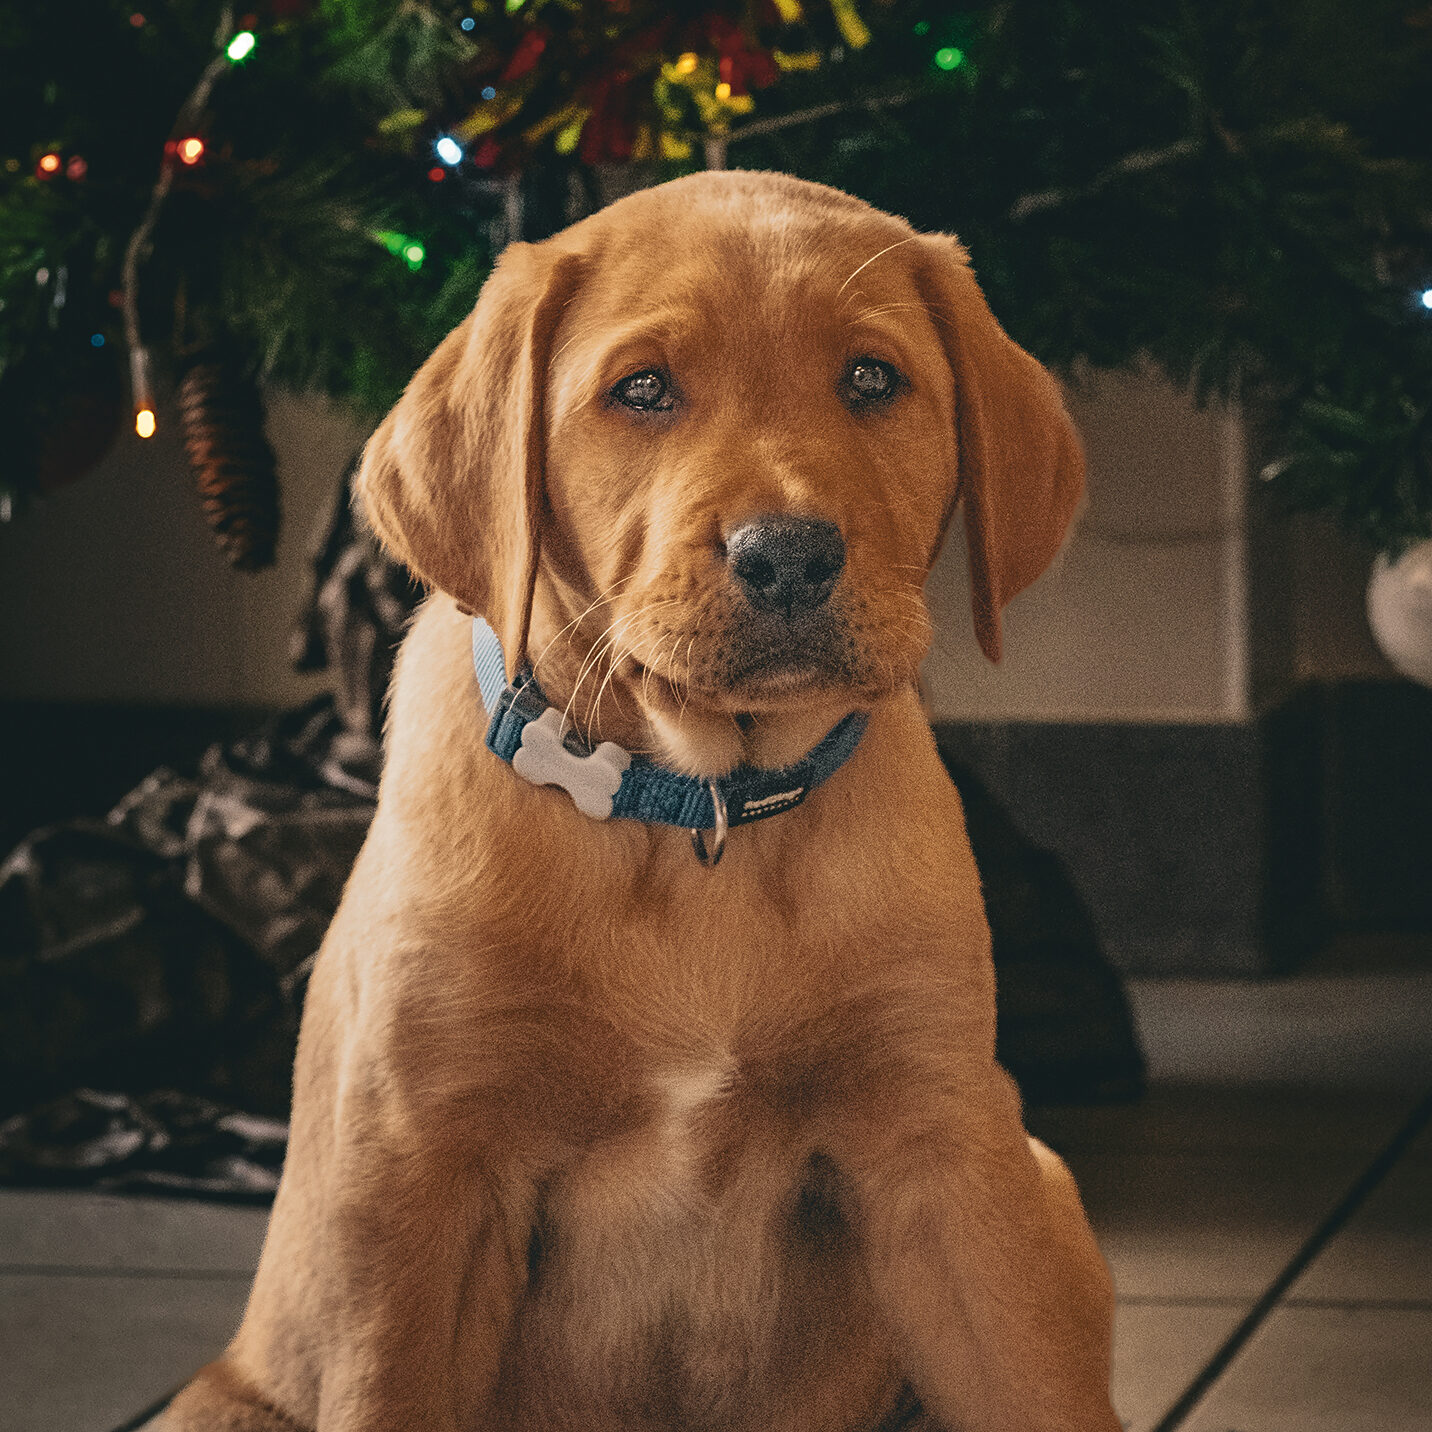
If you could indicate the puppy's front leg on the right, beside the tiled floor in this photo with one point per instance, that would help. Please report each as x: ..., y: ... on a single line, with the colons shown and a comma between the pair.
x: 984, y: 1265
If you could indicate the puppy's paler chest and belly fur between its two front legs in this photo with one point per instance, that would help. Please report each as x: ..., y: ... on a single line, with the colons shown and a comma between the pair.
x: 672, y: 1257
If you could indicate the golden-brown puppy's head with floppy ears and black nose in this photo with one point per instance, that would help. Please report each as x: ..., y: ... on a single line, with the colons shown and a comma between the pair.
x: 697, y: 456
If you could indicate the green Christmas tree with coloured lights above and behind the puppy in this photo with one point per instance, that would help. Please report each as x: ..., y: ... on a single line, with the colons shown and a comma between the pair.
x: 310, y: 194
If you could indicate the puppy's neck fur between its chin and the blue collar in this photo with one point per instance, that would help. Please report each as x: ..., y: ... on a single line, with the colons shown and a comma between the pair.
x: 606, y: 698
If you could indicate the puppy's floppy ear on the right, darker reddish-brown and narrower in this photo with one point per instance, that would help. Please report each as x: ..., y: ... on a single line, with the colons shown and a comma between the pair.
x: 1022, y: 468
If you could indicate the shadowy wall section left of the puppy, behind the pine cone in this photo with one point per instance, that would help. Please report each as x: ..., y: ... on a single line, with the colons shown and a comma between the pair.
x: 112, y: 589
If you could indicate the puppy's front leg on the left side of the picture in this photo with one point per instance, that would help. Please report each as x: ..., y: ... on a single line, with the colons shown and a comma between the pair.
x: 430, y: 1255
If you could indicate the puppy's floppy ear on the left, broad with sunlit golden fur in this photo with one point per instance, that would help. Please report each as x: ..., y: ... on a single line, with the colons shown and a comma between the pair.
x: 453, y: 479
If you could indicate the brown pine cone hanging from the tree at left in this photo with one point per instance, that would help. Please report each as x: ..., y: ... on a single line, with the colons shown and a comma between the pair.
x: 231, y: 460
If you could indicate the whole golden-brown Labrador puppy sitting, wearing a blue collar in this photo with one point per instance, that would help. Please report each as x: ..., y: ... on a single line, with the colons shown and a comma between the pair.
x: 592, y: 1132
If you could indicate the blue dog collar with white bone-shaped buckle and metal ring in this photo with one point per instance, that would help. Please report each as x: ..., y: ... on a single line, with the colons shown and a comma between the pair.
x: 608, y: 781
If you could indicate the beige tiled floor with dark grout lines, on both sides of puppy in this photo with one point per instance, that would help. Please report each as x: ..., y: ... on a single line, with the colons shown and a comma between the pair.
x: 1269, y: 1103
